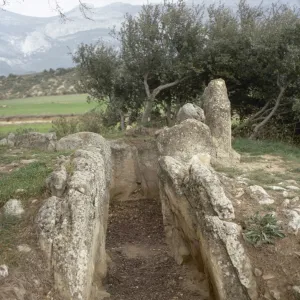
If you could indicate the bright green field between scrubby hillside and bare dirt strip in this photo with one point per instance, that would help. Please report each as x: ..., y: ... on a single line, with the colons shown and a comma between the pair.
x: 50, y: 105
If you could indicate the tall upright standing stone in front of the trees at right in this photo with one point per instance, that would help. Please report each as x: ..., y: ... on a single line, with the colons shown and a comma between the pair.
x: 218, y: 118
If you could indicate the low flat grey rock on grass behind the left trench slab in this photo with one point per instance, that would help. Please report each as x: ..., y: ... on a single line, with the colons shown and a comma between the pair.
x: 36, y: 140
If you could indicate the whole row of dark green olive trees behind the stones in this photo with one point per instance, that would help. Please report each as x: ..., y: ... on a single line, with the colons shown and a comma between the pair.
x: 169, y: 52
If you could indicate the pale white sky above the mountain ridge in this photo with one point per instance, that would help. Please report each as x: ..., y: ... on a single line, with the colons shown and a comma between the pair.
x: 45, y: 8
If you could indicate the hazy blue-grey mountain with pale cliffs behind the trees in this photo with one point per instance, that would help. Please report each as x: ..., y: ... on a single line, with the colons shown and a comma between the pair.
x: 31, y: 44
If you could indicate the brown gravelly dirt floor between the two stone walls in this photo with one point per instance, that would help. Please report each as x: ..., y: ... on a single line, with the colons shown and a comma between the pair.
x: 142, y: 268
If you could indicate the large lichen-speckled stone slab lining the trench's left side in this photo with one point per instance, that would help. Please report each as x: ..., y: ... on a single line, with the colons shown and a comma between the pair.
x: 72, y: 223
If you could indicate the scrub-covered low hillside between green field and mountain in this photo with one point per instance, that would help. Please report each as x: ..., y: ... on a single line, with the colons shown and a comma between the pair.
x: 58, y: 82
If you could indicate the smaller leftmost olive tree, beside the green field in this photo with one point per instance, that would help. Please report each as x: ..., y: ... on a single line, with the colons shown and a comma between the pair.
x: 102, y: 75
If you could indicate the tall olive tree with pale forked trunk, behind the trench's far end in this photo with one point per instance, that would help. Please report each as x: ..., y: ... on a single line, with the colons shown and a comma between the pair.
x: 161, y: 47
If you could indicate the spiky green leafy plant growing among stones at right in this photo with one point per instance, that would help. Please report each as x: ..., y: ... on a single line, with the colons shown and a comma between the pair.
x: 262, y: 229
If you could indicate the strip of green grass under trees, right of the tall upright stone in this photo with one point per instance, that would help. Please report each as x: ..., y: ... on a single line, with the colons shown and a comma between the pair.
x: 286, y: 151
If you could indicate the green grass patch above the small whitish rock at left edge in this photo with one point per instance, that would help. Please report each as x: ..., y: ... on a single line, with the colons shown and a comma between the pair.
x: 31, y: 178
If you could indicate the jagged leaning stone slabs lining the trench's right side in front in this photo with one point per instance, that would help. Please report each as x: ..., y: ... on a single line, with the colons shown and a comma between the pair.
x: 196, y: 217
